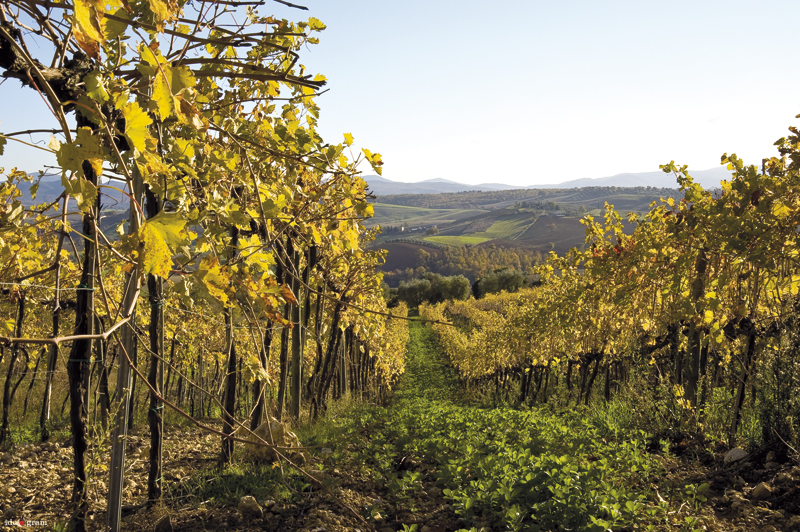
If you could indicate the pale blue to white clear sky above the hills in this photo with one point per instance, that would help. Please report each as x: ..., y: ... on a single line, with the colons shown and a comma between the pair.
x: 533, y: 92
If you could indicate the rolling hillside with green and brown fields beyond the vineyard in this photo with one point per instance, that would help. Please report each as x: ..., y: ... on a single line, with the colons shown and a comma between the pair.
x: 523, y: 221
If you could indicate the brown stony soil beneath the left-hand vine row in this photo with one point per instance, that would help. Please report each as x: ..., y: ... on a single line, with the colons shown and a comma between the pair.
x: 36, y: 483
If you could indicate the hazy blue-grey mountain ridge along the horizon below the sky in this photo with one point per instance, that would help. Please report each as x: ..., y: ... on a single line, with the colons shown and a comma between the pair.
x: 707, y: 178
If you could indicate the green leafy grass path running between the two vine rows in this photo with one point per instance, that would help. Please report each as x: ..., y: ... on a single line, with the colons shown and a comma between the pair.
x: 501, y: 468
